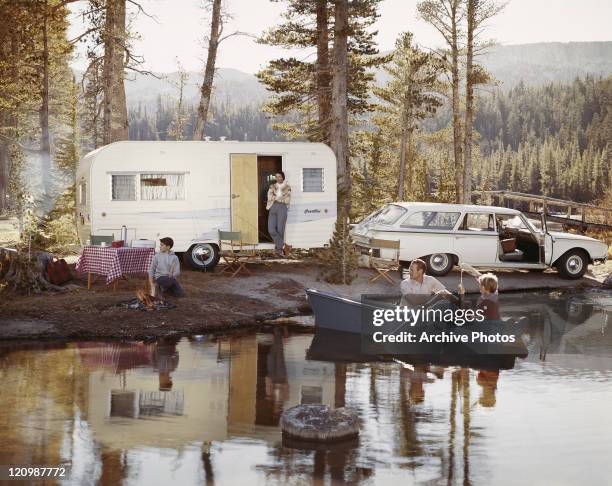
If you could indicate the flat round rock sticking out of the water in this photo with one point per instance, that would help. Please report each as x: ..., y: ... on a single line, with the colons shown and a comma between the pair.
x: 320, y: 423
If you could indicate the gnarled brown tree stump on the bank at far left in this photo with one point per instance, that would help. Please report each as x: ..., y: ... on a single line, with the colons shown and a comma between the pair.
x: 23, y: 273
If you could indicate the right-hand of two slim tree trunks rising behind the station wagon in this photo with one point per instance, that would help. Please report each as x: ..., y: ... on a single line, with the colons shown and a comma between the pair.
x: 469, y: 105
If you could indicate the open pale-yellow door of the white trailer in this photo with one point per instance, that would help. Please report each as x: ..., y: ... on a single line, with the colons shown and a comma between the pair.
x: 244, y: 196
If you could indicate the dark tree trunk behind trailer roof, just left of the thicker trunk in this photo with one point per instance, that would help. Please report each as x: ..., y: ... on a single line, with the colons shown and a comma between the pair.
x: 322, y: 66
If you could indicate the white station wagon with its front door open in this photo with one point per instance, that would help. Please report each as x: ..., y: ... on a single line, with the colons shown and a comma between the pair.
x: 483, y: 236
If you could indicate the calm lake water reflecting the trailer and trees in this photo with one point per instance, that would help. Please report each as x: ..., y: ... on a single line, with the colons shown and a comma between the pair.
x: 206, y: 410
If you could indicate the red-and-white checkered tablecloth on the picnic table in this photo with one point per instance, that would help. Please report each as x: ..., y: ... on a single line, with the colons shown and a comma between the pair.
x: 114, y: 262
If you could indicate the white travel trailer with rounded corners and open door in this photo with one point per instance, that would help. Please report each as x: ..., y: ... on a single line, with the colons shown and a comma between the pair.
x: 191, y: 190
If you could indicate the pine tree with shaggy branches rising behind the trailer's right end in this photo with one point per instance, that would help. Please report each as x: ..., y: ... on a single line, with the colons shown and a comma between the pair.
x: 303, y: 88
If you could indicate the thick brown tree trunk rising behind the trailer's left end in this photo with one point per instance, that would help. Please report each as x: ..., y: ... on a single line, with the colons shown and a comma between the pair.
x: 115, y: 107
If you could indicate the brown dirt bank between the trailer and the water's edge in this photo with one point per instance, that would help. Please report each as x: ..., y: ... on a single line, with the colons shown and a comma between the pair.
x: 214, y: 302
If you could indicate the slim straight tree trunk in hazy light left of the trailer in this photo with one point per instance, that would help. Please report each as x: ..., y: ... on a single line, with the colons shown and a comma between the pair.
x: 45, y: 143
